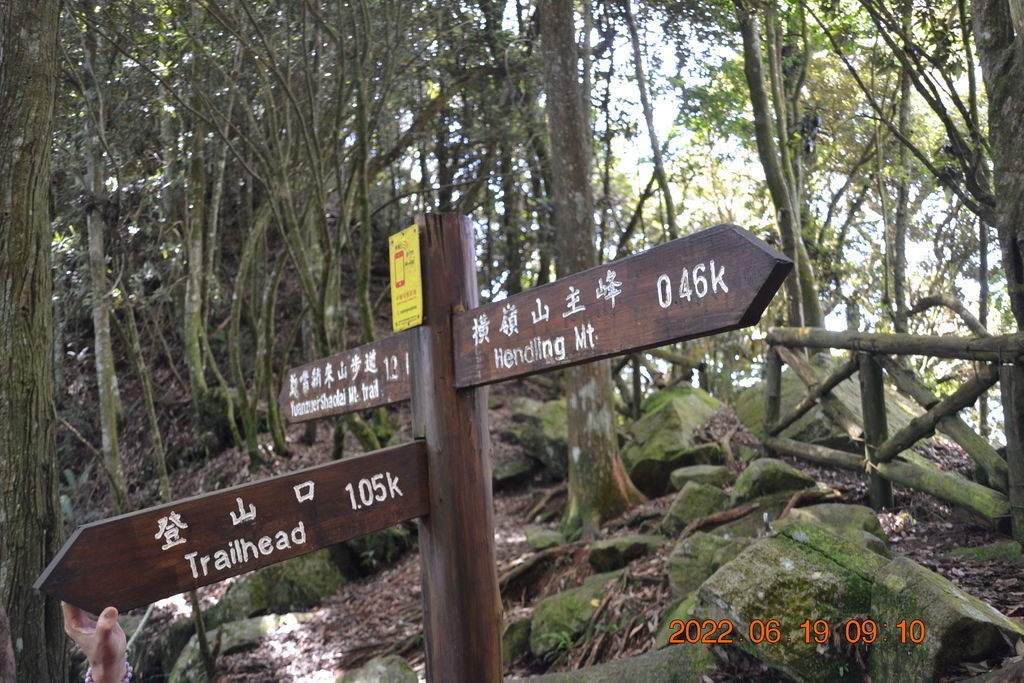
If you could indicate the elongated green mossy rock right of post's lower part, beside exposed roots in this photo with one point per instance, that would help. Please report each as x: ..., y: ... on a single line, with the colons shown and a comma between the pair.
x: 561, y: 619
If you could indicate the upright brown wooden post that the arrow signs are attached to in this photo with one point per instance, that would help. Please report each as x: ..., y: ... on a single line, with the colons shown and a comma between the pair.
x: 461, y: 602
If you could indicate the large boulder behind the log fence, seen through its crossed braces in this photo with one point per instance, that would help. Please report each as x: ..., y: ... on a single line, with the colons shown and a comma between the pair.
x: 815, y: 428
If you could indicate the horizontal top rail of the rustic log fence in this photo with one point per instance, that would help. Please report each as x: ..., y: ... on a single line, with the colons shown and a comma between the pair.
x: 1004, y: 349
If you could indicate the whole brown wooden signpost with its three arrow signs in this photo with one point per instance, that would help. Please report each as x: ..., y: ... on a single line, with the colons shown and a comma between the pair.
x: 717, y: 280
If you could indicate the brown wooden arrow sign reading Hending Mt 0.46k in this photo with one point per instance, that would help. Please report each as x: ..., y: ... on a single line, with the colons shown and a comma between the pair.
x: 714, y: 281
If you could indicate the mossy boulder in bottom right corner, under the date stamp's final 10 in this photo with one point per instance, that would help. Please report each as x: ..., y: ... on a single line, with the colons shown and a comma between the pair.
x: 954, y: 626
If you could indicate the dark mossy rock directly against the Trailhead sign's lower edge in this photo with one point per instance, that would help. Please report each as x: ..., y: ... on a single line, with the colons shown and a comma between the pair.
x: 294, y: 585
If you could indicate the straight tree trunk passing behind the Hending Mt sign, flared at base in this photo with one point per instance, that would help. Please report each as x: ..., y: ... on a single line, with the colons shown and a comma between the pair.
x: 600, y: 489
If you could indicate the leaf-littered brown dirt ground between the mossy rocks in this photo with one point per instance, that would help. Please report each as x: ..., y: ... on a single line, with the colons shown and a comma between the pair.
x: 382, y: 614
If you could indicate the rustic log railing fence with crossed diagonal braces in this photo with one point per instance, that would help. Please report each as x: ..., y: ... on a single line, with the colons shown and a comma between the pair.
x: 872, y: 356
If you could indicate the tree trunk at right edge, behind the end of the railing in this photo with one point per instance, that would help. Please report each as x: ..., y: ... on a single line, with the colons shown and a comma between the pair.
x: 998, y: 33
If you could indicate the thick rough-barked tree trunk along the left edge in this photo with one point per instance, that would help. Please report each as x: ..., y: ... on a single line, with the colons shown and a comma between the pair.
x: 31, y: 526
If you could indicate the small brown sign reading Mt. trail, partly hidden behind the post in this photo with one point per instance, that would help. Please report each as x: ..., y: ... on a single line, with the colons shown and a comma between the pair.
x: 372, y: 375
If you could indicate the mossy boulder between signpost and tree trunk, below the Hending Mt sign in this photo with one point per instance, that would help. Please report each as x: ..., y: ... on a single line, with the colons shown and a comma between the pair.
x: 542, y: 430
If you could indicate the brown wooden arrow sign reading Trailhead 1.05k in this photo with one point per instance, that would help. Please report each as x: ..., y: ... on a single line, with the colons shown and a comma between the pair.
x: 139, y: 559
